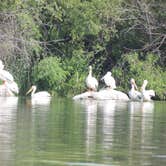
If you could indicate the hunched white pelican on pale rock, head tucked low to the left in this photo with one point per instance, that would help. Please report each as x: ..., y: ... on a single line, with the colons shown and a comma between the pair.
x: 109, y: 80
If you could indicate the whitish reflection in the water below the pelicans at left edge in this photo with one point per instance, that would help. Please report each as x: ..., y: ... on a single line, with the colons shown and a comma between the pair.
x: 8, y: 108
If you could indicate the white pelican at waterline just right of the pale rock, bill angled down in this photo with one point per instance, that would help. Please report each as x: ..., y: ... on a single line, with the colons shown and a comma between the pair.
x: 134, y: 94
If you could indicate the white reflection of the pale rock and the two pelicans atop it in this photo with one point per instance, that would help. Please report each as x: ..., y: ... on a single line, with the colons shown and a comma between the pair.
x: 102, y: 113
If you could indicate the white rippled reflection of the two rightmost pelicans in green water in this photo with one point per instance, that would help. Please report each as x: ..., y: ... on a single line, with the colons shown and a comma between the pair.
x: 141, y: 126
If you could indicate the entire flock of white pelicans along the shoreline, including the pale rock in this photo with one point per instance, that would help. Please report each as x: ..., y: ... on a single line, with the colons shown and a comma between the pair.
x: 10, y: 88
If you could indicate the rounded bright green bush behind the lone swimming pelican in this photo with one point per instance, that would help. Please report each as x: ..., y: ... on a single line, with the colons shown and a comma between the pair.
x: 49, y: 74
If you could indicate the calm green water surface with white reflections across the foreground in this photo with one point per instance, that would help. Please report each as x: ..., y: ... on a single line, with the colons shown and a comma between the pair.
x: 78, y: 133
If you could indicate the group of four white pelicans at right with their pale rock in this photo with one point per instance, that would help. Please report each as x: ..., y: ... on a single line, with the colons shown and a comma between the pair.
x: 109, y: 93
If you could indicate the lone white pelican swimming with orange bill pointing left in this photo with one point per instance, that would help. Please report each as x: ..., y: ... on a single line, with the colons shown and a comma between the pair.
x: 38, y: 95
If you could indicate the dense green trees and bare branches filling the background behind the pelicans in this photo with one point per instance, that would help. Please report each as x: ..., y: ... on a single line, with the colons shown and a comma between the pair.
x: 78, y: 33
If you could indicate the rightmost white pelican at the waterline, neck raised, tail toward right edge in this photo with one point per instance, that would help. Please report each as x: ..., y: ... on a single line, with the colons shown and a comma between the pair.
x: 146, y: 94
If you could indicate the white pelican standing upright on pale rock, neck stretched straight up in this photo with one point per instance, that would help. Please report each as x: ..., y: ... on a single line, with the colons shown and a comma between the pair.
x: 91, y: 81
